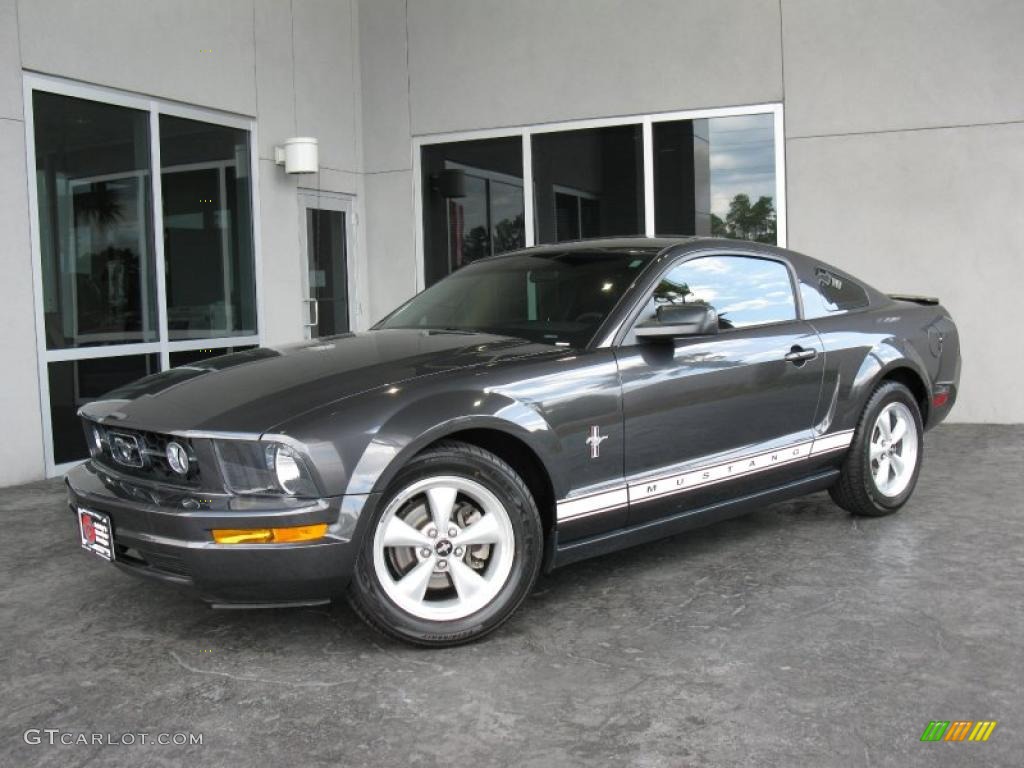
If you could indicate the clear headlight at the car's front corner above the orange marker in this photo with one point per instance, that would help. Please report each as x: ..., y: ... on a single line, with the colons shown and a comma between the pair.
x: 251, y: 467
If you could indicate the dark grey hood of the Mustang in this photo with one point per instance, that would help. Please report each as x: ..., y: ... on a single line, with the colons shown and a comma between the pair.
x: 257, y: 391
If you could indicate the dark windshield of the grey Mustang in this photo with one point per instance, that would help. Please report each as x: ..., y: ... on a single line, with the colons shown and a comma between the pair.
x: 552, y: 297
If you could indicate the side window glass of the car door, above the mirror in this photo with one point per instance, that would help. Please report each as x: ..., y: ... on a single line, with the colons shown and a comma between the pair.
x: 745, y: 291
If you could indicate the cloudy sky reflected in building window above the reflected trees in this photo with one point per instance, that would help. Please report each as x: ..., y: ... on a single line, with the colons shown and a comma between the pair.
x: 743, y: 159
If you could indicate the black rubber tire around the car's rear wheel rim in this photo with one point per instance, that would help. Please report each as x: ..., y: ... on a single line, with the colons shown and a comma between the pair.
x: 856, y: 490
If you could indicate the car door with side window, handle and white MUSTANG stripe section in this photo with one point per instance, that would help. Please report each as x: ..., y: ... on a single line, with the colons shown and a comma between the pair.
x: 717, y: 416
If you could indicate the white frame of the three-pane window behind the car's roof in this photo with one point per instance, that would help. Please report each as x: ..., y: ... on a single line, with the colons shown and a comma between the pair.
x: 647, y: 122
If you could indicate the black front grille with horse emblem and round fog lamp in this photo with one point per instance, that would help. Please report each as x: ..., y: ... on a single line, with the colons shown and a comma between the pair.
x: 142, y: 454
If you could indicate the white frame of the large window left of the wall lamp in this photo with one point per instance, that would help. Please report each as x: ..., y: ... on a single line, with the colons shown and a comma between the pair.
x: 163, y: 347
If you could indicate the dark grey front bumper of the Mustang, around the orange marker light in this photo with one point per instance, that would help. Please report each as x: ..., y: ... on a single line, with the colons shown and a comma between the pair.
x: 163, y: 533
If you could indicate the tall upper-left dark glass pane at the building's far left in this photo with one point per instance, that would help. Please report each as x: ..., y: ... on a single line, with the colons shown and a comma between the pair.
x: 96, y: 231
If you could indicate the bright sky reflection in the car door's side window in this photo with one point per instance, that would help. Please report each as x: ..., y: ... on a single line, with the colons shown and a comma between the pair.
x: 746, y: 291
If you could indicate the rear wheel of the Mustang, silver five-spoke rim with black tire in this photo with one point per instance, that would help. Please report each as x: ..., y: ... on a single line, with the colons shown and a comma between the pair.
x: 882, y: 467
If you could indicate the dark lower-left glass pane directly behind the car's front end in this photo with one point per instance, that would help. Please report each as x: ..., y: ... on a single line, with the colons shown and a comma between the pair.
x: 74, y: 383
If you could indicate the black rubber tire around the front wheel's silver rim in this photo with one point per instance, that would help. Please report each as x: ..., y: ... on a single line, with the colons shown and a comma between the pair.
x: 371, y: 603
